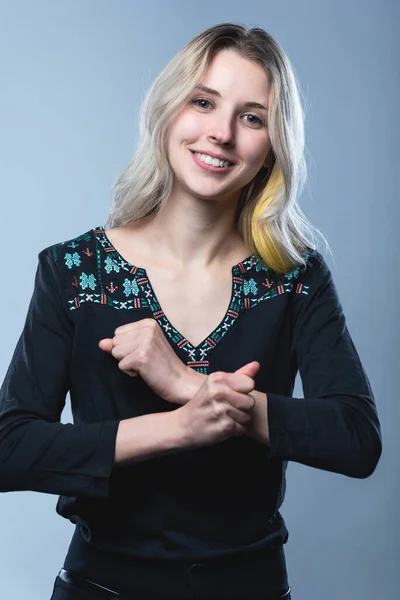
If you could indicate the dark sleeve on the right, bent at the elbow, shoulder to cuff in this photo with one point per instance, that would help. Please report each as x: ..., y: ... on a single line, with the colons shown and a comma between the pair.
x: 335, y: 426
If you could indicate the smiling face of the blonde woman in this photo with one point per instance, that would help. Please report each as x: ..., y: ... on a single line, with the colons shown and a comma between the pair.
x: 222, y: 123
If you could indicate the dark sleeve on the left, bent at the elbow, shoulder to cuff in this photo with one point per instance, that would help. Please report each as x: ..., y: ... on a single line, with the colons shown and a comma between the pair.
x: 37, y: 452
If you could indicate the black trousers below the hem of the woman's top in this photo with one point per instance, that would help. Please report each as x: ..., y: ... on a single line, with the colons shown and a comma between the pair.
x: 260, y: 575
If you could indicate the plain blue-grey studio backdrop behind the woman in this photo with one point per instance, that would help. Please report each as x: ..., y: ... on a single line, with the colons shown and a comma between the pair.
x: 73, y: 74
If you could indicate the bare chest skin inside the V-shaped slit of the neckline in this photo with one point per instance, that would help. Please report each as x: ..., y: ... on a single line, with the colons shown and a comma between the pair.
x: 195, y: 305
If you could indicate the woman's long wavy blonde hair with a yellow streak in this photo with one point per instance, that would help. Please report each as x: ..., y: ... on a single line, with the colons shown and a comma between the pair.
x: 268, y: 215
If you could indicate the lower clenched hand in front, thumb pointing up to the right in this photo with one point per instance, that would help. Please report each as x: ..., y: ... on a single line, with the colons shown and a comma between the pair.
x: 220, y: 409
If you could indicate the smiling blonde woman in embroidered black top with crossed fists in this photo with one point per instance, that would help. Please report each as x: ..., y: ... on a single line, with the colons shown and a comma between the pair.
x: 179, y: 331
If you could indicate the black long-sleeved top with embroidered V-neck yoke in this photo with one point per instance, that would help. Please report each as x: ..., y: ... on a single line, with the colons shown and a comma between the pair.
x: 198, y: 503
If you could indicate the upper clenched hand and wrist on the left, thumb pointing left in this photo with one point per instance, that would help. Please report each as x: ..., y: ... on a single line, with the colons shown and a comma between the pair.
x: 142, y: 349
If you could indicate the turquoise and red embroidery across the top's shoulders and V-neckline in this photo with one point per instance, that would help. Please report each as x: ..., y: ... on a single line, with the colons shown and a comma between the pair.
x: 134, y: 291
